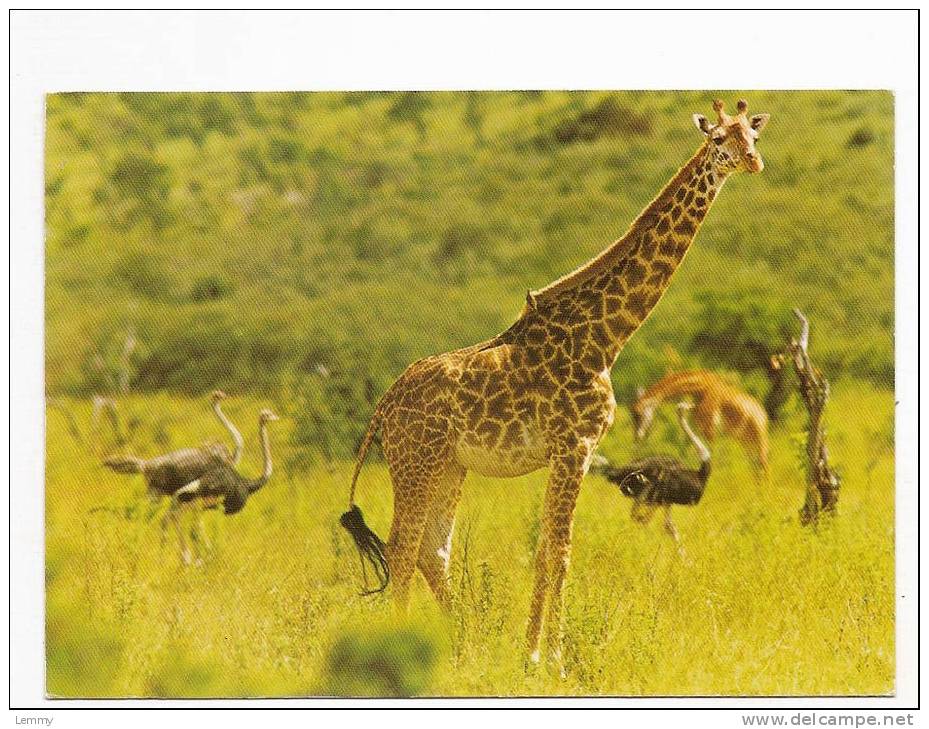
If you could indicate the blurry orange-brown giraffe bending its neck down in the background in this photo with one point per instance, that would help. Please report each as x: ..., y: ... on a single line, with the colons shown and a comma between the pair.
x: 719, y: 407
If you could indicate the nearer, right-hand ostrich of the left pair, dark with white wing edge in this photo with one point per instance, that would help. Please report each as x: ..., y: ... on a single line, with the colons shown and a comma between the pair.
x: 224, y: 484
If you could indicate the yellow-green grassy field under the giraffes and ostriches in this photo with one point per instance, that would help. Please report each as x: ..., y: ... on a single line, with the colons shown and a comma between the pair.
x: 759, y: 605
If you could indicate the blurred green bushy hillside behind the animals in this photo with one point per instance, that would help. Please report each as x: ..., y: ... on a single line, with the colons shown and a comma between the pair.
x: 255, y: 241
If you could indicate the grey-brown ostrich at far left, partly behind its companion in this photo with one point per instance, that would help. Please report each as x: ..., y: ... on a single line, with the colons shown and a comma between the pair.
x: 166, y: 474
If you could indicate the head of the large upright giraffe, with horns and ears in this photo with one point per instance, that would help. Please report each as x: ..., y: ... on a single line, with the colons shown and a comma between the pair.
x: 733, y: 138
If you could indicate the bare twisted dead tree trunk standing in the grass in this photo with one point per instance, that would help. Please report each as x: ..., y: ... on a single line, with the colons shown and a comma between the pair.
x: 822, y: 490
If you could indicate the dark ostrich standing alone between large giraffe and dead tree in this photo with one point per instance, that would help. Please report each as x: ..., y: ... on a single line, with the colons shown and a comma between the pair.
x: 661, y: 480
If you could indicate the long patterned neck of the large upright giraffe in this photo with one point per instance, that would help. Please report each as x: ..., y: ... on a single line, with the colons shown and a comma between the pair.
x: 615, y: 292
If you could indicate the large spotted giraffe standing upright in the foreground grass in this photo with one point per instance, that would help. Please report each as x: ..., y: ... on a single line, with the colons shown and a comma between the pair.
x: 537, y: 395
